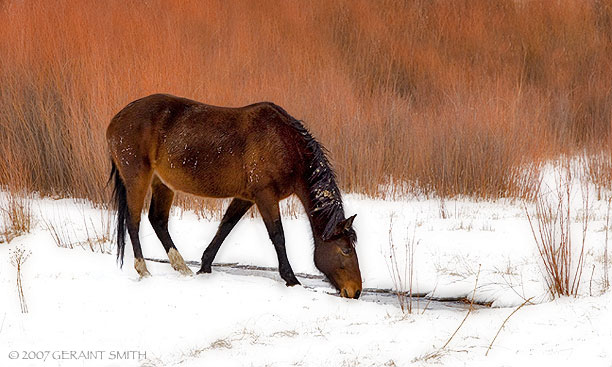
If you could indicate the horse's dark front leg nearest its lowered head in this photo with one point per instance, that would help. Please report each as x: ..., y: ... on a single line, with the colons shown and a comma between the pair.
x: 271, y: 215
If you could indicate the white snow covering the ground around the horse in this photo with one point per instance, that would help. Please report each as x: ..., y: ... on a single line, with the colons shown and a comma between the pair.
x: 85, y: 311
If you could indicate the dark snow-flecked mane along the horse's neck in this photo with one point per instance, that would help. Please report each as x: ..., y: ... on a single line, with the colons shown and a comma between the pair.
x: 324, y: 193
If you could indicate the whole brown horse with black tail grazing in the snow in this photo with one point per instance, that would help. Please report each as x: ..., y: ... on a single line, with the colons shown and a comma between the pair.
x: 257, y: 154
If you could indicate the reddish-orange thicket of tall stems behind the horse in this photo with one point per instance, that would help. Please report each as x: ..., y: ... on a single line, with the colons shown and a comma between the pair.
x: 437, y: 97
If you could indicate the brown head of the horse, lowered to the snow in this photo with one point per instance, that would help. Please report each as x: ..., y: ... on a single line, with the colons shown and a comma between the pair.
x: 335, y: 257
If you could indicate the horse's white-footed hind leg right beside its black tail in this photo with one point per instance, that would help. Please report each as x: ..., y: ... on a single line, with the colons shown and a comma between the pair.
x: 136, y: 188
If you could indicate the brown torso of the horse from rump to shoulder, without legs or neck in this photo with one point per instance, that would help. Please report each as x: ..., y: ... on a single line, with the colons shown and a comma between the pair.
x: 207, y: 150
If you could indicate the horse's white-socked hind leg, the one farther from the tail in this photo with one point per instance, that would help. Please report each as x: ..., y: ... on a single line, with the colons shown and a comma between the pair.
x: 159, y: 211
